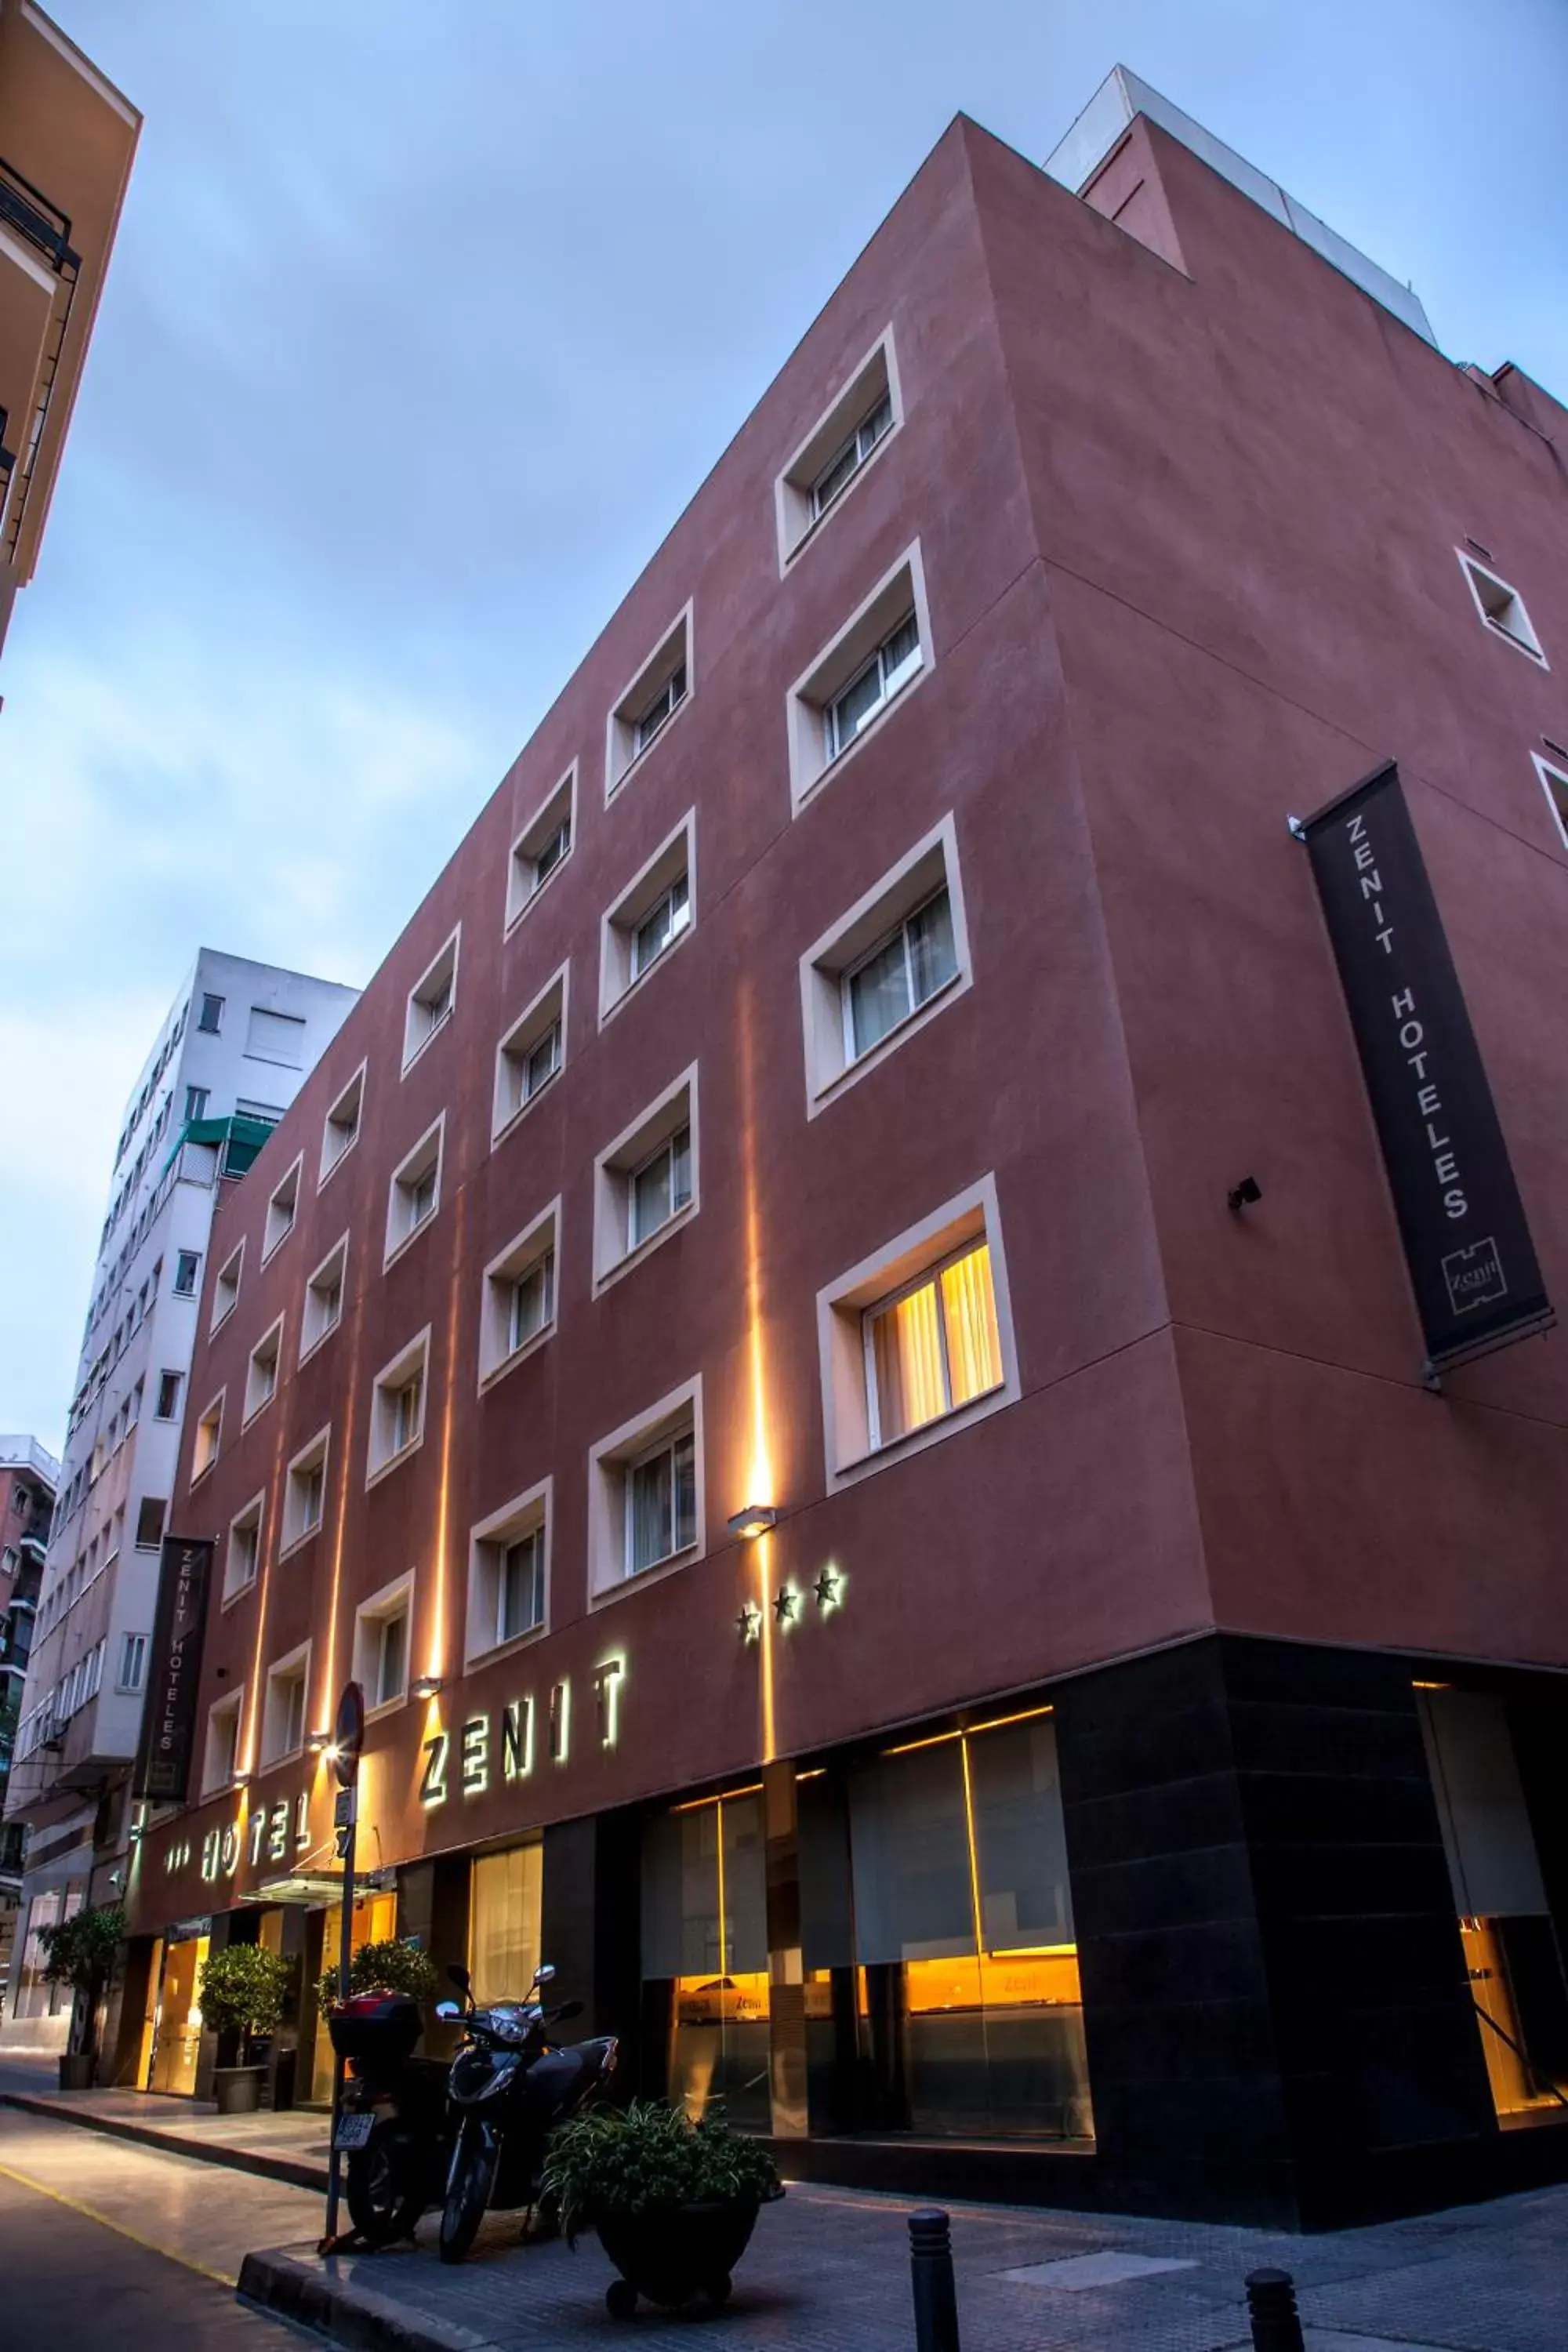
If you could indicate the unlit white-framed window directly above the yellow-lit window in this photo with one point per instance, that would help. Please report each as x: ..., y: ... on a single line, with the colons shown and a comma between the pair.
x: 885, y: 968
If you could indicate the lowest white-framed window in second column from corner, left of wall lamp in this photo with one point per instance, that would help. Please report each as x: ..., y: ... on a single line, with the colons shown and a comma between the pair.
x: 645, y: 1495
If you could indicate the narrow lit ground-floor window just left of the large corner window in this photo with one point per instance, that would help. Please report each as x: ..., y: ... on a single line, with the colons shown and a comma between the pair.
x: 706, y: 1953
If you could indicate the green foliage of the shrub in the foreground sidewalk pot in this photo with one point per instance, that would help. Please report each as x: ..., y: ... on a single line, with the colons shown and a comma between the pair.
x: 650, y: 2158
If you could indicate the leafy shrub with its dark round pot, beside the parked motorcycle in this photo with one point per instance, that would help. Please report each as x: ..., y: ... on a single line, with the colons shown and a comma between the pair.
x: 674, y: 2203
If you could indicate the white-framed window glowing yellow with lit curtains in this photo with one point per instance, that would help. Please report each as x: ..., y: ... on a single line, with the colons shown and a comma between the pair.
x: 918, y: 1339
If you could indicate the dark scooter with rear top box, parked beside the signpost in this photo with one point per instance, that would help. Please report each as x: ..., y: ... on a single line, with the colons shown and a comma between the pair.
x: 394, y: 2116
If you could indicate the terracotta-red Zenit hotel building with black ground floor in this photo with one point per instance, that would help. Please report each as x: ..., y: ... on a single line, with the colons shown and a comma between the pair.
x: 836, y: 1339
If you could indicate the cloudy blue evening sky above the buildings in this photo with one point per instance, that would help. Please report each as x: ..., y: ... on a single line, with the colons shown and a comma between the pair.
x: 424, y: 323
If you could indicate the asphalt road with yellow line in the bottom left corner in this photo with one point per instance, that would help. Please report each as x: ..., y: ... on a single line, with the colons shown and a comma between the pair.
x: 107, y: 2243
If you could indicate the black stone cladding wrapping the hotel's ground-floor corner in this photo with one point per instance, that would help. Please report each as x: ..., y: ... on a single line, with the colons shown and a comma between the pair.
x: 1275, y: 1996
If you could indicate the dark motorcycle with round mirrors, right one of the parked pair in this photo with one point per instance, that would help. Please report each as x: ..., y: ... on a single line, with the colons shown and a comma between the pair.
x: 507, y: 2090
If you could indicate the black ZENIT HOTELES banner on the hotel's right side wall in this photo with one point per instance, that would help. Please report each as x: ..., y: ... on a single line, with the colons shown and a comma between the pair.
x: 1461, y: 1220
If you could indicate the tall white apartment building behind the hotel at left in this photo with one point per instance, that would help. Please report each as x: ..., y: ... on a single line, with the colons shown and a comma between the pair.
x: 225, y: 1067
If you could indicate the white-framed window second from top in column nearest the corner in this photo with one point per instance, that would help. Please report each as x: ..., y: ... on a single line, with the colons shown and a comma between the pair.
x: 852, y: 686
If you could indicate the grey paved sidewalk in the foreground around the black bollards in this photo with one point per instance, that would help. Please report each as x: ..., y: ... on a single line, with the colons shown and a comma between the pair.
x: 829, y: 2273
